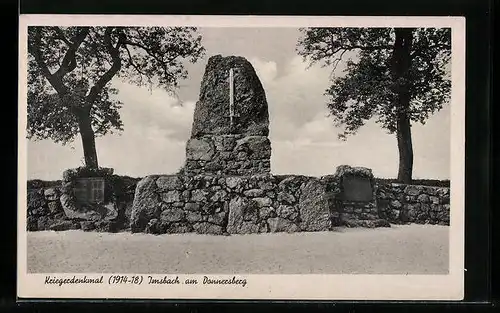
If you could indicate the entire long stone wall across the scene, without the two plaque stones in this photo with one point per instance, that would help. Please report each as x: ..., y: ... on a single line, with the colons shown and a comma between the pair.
x: 215, y: 204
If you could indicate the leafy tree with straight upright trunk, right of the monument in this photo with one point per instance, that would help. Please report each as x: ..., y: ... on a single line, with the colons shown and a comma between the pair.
x: 398, y: 76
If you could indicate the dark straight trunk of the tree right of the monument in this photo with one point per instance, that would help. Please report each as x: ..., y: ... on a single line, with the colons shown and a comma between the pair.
x: 401, y: 66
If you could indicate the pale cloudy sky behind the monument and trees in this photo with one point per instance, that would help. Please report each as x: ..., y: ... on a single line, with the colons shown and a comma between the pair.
x: 303, y: 137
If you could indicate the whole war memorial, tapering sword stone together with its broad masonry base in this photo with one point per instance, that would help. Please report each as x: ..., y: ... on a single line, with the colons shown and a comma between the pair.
x: 225, y: 186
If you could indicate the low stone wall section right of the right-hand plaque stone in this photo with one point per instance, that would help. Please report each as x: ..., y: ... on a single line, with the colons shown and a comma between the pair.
x: 401, y: 204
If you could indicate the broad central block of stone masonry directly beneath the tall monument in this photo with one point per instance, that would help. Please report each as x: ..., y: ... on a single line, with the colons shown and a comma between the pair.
x: 212, y: 204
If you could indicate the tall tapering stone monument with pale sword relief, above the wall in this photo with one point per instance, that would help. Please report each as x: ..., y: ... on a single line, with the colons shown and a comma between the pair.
x: 231, y: 121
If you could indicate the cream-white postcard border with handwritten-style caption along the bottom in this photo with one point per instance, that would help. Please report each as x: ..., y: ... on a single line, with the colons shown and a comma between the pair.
x: 303, y: 287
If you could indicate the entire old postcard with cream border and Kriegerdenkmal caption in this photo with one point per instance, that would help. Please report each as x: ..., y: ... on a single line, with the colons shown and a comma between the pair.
x: 241, y: 157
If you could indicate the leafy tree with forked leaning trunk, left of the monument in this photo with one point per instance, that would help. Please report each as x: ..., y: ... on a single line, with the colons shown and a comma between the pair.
x: 69, y: 70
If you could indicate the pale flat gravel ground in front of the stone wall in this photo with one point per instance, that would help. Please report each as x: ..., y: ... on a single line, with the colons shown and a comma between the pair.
x: 413, y: 249
